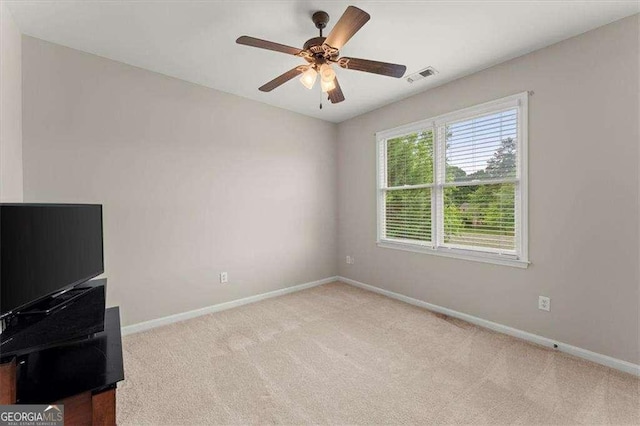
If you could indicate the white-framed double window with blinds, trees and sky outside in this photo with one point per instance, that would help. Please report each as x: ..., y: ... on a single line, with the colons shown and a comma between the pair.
x: 455, y: 185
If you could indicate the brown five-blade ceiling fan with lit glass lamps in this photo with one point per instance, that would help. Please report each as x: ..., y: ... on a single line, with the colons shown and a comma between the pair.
x: 322, y: 52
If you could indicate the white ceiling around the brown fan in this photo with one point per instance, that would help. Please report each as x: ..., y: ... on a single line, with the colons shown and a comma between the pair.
x: 195, y: 40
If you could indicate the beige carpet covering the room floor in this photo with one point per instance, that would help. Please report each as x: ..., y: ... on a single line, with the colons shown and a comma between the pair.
x: 337, y: 354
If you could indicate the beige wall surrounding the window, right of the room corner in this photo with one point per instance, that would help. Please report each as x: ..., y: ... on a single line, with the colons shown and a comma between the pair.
x: 583, y: 196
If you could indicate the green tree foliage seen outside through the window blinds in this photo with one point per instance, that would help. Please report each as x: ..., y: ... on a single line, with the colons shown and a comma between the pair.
x: 480, y: 214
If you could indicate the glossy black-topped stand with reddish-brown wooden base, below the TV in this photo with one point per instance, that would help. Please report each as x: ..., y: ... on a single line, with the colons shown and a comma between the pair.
x: 82, y: 374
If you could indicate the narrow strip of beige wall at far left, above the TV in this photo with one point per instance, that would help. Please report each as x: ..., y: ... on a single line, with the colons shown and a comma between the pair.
x: 10, y: 108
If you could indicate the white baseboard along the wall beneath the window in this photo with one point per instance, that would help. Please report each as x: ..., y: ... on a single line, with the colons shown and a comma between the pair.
x: 606, y: 360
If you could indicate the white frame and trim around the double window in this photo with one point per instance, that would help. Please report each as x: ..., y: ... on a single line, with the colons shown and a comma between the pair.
x: 437, y: 125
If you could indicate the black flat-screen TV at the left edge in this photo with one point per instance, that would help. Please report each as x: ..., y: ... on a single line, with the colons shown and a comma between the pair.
x: 45, y: 248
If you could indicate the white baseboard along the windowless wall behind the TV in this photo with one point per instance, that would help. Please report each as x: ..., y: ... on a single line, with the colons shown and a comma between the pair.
x: 147, y: 325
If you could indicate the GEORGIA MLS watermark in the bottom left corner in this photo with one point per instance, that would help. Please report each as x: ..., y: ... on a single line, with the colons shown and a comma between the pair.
x: 31, y: 415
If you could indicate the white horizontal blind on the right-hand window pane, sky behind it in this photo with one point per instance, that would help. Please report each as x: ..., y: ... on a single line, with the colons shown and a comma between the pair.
x: 479, y: 186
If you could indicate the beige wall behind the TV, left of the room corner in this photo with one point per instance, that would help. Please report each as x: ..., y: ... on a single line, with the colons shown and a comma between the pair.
x: 193, y: 181
